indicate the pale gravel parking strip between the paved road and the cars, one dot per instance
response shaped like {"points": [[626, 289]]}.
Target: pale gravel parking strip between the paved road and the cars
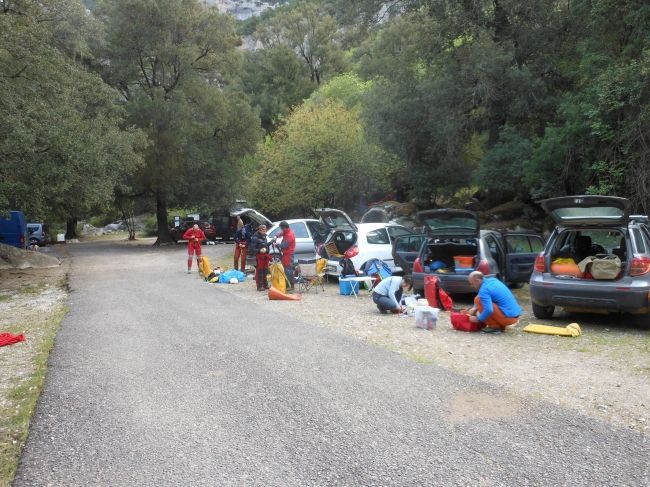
{"points": [[604, 373]]}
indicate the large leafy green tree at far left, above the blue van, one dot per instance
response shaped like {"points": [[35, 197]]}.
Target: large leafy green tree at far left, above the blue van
{"points": [[63, 147]]}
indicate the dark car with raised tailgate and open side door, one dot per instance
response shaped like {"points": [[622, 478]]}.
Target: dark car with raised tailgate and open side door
{"points": [[451, 233]]}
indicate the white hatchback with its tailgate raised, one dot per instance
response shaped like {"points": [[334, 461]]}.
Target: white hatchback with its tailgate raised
{"points": [[362, 241]]}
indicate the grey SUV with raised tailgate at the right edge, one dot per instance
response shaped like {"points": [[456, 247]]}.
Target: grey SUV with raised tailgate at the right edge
{"points": [[593, 226]]}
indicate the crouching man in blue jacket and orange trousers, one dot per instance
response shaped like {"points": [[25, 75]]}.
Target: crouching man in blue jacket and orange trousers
{"points": [[494, 305]]}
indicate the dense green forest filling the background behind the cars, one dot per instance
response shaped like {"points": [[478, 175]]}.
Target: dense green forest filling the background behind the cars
{"points": [[320, 103]]}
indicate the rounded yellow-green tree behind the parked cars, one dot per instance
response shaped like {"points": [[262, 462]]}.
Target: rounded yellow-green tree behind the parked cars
{"points": [[319, 157]]}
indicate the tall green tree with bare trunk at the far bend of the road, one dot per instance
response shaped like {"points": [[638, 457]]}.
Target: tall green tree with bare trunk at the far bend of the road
{"points": [[176, 64]]}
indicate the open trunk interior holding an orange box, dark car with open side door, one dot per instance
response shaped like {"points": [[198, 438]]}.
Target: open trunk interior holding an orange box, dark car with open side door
{"points": [[442, 256]]}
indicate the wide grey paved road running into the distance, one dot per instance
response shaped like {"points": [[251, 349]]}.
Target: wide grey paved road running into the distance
{"points": [[159, 379]]}
